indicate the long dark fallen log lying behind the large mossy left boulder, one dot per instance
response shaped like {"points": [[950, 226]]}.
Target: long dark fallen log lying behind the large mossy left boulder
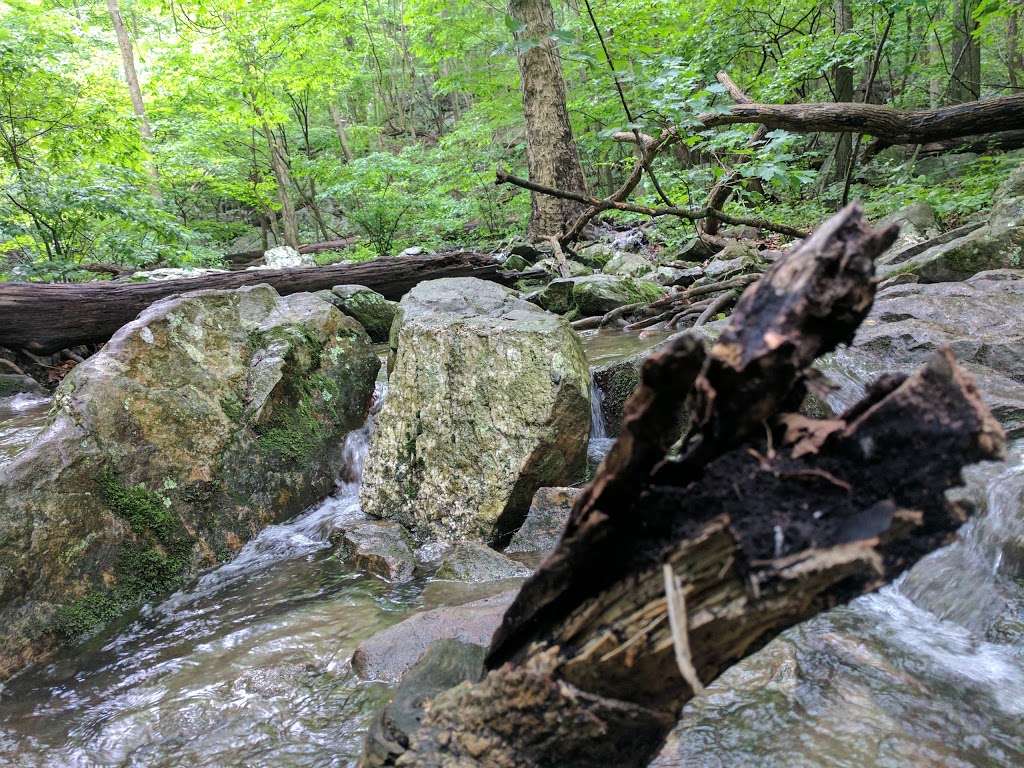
{"points": [[46, 318]]}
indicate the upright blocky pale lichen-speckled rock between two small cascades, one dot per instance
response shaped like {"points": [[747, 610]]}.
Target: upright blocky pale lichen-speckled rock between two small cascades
{"points": [[489, 401]]}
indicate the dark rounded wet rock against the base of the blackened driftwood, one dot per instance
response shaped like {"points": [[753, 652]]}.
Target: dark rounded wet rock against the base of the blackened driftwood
{"points": [[446, 664]]}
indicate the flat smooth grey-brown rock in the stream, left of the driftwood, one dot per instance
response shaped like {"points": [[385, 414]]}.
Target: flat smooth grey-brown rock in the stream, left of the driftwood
{"points": [[389, 655]]}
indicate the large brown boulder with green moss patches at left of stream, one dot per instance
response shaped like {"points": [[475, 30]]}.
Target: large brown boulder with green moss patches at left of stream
{"points": [[208, 417]]}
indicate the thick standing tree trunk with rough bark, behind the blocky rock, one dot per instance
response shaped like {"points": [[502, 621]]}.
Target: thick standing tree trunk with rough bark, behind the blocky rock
{"points": [[551, 151]]}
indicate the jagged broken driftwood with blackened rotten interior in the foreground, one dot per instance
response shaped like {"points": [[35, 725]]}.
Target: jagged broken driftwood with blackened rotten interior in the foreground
{"points": [[671, 570]]}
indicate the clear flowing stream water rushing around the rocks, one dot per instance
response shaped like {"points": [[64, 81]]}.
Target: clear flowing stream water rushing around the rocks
{"points": [[249, 666]]}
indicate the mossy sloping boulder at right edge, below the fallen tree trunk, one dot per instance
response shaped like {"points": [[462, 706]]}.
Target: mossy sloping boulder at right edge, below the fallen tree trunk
{"points": [[999, 244]]}
